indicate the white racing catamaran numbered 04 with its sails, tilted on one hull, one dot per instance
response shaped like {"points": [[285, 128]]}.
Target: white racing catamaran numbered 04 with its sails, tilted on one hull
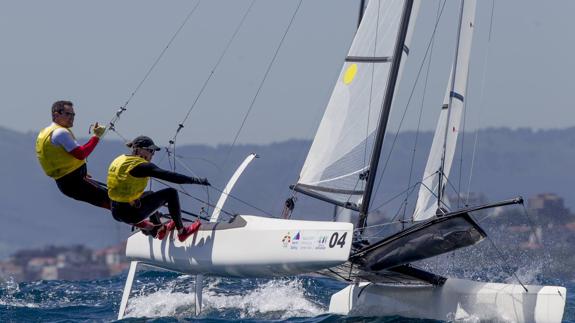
{"points": [[341, 169]]}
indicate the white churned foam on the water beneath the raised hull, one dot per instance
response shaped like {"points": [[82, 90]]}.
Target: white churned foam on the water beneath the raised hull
{"points": [[274, 299]]}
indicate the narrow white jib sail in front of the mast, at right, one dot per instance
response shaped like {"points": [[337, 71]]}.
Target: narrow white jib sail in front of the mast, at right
{"points": [[445, 138]]}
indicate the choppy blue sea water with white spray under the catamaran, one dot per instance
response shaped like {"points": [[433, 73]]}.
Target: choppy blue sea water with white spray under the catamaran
{"points": [[167, 297]]}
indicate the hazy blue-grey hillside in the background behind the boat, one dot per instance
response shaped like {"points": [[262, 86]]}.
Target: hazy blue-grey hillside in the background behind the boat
{"points": [[508, 163]]}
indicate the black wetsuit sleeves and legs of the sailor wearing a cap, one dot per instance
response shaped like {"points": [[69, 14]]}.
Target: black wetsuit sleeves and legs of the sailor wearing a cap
{"points": [[149, 202]]}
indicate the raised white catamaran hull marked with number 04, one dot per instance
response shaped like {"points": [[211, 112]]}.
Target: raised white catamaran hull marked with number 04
{"points": [[249, 246]]}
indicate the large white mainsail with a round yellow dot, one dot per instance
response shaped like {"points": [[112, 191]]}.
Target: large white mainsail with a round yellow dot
{"points": [[343, 144]]}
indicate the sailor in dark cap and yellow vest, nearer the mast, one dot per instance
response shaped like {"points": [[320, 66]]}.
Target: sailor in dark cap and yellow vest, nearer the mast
{"points": [[128, 177]]}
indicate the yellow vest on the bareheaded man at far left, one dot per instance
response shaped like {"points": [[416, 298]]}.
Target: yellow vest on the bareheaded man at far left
{"points": [[55, 160]]}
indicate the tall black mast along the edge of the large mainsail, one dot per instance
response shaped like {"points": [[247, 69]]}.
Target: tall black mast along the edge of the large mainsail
{"points": [[384, 117]]}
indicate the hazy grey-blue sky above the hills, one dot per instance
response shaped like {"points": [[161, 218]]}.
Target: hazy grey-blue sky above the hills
{"points": [[96, 52]]}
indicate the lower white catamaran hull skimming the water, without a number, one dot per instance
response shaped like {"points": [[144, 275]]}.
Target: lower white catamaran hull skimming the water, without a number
{"points": [[455, 299]]}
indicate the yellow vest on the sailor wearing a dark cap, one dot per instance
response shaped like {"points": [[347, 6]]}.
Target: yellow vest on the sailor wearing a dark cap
{"points": [[123, 187]]}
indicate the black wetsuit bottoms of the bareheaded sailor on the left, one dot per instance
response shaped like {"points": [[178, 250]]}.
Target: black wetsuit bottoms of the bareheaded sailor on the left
{"points": [[79, 187]]}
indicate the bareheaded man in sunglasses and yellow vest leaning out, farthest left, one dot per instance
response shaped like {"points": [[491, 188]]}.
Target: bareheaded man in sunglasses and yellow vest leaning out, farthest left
{"points": [[63, 159]]}
